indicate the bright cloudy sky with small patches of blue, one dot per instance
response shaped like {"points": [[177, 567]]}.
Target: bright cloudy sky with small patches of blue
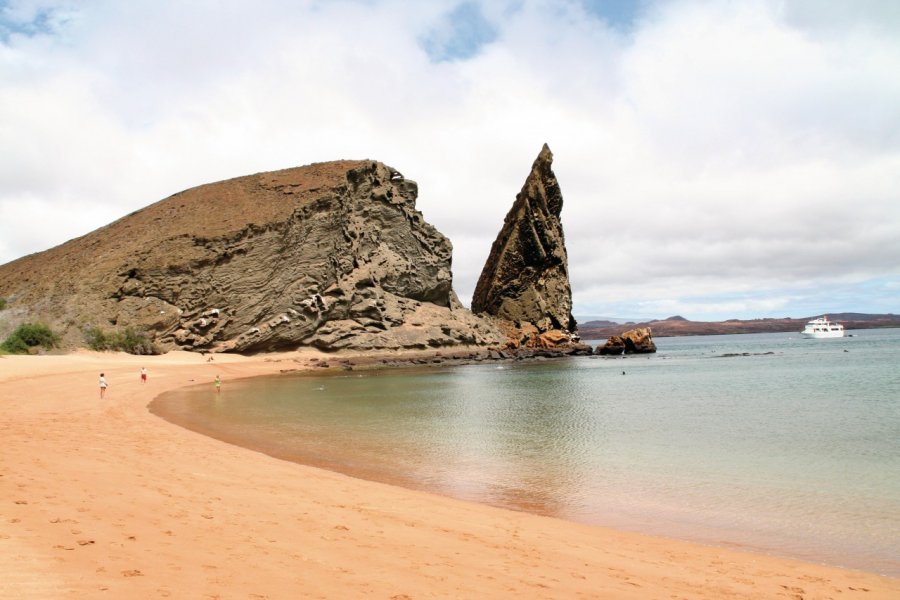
{"points": [[717, 159]]}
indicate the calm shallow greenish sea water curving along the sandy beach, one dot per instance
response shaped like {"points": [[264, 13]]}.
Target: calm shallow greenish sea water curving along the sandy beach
{"points": [[791, 447]]}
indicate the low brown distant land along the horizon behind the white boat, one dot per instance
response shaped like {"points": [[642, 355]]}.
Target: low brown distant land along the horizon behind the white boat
{"points": [[677, 325]]}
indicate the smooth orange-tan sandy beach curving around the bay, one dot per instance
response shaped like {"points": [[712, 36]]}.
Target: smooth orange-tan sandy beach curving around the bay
{"points": [[102, 499]]}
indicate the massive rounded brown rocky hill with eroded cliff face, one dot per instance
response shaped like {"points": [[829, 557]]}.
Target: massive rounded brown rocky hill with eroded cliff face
{"points": [[333, 255]]}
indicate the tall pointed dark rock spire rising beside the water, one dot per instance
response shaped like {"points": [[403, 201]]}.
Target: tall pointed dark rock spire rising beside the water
{"points": [[526, 277]]}
